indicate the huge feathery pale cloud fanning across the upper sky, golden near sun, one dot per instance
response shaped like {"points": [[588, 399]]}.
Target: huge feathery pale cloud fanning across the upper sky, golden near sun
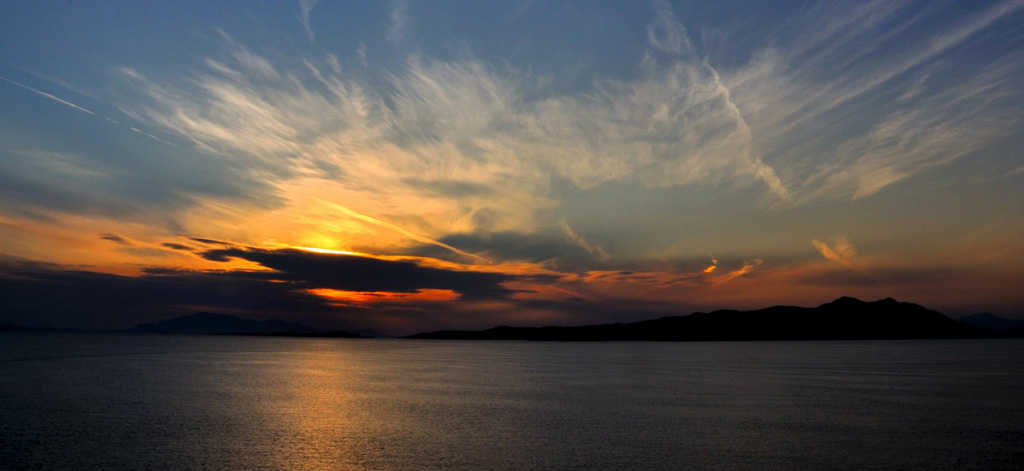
{"points": [[414, 145]]}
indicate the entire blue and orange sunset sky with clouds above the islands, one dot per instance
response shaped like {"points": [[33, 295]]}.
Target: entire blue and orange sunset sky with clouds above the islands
{"points": [[411, 166]]}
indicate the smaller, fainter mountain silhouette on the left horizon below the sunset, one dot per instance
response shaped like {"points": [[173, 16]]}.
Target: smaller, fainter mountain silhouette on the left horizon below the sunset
{"points": [[209, 323]]}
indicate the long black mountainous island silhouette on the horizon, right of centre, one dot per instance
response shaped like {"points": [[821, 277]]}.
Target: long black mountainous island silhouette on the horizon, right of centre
{"points": [[845, 319]]}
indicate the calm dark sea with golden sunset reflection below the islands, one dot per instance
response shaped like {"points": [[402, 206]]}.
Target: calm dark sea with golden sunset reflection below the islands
{"points": [[109, 402]]}
